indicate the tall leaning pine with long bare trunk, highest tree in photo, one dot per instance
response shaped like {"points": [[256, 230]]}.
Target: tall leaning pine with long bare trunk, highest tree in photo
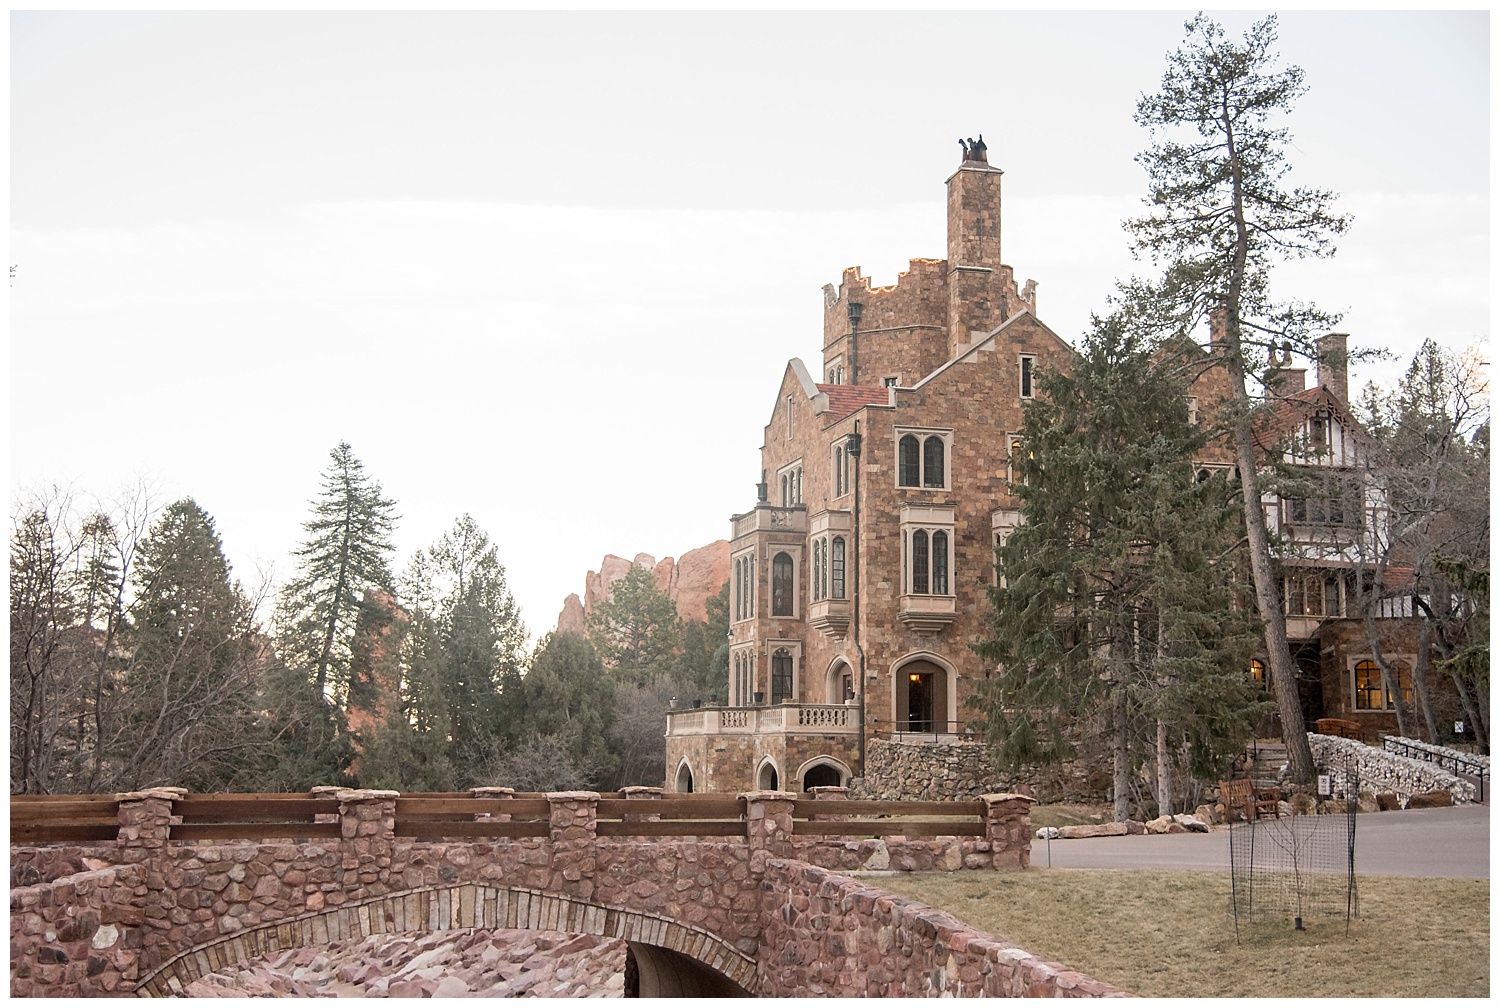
{"points": [[1220, 220]]}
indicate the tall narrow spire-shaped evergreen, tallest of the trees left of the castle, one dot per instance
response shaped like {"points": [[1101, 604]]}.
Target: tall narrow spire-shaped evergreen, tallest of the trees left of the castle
{"points": [[347, 554]]}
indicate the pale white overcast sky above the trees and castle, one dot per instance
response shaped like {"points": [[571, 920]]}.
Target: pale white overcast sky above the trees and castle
{"points": [[548, 269]]}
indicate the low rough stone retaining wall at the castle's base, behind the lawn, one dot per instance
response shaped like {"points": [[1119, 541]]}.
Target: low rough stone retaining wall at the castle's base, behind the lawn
{"points": [[961, 772]]}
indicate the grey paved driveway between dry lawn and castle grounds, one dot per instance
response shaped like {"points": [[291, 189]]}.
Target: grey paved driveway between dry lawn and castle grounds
{"points": [[1427, 842]]}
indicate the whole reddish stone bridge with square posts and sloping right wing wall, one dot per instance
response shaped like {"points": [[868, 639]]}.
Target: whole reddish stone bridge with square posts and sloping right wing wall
{"points": [[766, 913]]}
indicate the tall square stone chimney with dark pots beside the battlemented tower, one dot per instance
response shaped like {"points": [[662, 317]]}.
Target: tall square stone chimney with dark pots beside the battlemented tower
{"points": [[976, 284]]}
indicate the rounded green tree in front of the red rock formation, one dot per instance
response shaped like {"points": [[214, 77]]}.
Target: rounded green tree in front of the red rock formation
{"points": [[637, 629]]}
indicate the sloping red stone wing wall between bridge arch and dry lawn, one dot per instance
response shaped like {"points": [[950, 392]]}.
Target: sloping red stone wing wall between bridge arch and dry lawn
{"points": [[839, 937]]}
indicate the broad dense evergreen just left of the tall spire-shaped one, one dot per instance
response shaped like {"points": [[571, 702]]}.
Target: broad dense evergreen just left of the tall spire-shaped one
{"points": [[197, 668]]}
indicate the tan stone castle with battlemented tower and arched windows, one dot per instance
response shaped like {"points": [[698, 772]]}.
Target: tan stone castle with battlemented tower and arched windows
{"points": [[859, 577]]}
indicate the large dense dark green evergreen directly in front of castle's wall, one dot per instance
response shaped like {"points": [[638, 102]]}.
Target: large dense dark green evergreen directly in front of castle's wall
{"points": [[1117, 593]]}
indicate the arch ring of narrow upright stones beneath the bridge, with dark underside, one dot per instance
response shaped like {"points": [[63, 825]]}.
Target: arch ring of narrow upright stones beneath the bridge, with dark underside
{"points": [[673, 959]]}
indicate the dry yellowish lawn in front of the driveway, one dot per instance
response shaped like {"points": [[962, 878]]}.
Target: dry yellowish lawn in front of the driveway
{"points": [[1171, 935]]}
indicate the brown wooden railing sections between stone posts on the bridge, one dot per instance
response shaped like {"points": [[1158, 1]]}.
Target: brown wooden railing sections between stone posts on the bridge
{"points": [[460, 815]]}
